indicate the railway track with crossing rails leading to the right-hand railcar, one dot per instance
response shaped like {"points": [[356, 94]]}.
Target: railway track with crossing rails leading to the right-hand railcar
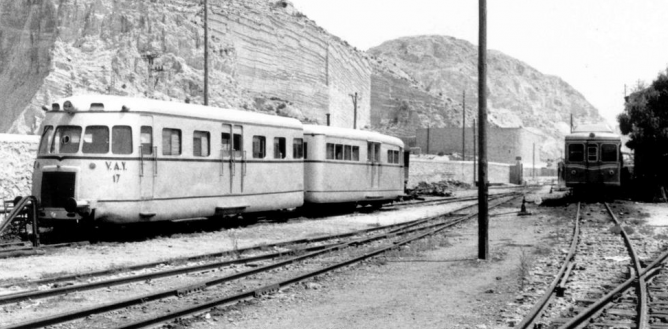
{"points": [[603, 280]]}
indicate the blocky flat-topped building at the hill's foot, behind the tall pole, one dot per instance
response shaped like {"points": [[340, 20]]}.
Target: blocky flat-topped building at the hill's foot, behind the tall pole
{"points": [[504, 145]]}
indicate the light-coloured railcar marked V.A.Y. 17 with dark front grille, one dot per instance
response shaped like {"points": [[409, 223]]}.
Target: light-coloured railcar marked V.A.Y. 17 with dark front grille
{"points": [[121, 160]]}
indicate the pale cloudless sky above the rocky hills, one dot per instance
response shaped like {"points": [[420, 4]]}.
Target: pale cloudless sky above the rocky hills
{"points": [[596, 46]]}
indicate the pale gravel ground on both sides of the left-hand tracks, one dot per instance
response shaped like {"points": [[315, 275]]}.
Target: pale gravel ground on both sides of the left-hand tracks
{"points": [[443, 288]]}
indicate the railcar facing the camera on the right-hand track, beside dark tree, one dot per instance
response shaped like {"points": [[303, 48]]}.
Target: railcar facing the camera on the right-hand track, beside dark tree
{"points": [[593, 158]]}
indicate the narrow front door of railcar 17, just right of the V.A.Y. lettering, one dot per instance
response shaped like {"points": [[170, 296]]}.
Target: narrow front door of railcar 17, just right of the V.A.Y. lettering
{"points": [[148, 161]]}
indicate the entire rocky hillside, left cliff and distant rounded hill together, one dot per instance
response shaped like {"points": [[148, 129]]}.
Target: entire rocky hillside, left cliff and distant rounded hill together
{"points": [[264, 56]]}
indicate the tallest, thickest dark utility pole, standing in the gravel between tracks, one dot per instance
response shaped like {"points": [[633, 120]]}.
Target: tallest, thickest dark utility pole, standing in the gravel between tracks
{"points": [[483, 216]]}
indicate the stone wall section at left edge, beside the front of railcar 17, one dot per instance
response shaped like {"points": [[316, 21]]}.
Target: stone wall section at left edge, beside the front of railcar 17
{"points": [[17, 156]]}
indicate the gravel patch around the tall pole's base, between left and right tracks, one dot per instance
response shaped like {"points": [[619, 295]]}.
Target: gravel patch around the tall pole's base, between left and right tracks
{"points": [[444, 288]]}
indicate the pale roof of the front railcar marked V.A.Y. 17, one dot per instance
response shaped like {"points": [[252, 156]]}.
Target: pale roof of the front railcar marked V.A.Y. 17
{"points": [[115, 103]]}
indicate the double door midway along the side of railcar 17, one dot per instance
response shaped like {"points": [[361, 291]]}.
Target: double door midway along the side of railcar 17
{"points": [[233, 158]]}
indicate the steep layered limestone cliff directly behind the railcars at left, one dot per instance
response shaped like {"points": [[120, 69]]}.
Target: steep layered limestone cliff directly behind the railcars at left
{"points": [[264, 56]]}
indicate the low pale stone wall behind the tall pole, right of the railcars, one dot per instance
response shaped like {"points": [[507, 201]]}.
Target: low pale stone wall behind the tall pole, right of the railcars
{"points": [[425, 169]]}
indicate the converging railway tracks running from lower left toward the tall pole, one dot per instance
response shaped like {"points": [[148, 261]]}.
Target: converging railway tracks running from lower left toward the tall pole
{"points": [[263, 273]]}
